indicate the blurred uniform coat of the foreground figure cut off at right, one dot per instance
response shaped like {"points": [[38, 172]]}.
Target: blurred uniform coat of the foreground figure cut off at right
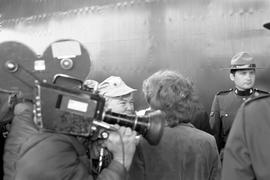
{"points": [[246, 154]]}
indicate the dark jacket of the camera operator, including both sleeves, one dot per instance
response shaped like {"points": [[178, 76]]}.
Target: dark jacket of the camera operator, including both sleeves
{"points": [[31, 154]]}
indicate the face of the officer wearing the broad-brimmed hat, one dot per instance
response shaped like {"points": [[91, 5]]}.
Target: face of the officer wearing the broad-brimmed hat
{"points": [[243, 79]]}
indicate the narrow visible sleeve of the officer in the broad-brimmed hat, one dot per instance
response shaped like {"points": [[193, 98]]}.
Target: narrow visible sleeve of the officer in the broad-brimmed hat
{"points": [[216, 123]]}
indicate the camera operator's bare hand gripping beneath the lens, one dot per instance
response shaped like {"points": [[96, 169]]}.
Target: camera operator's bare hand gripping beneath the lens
{"points": [[123, 147]]}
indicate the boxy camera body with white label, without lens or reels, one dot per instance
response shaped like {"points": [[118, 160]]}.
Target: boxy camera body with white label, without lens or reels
{"points": [[68, 111]]}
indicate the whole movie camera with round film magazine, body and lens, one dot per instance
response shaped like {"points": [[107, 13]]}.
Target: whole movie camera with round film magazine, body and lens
{"points": [[62, 103]]}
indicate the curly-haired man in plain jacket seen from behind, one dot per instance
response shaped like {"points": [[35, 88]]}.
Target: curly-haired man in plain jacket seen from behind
{"points": [[184, 151]]}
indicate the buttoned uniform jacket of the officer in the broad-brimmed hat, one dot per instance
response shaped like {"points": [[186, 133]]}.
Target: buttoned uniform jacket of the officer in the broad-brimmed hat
{"points": [[223, 111]]}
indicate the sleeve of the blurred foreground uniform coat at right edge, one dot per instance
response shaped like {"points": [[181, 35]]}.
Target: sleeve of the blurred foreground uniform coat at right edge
{"points": [[237, 162]]}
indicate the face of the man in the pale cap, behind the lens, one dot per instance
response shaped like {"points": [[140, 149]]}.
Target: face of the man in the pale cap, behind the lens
{"points": [[121, 104]]}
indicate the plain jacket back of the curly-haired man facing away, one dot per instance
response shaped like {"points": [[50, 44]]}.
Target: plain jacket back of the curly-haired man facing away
{"points": [[184, 153]]}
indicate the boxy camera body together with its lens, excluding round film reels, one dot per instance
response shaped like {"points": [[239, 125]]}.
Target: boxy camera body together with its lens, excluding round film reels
{"points": [[81, 112]]}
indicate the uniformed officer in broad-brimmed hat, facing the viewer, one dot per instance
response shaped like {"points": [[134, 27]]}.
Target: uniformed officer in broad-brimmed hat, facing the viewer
{"points": [[226, 103]]}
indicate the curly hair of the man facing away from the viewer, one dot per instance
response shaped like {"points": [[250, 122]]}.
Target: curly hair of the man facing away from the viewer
{"points": [[172, 93]]}
